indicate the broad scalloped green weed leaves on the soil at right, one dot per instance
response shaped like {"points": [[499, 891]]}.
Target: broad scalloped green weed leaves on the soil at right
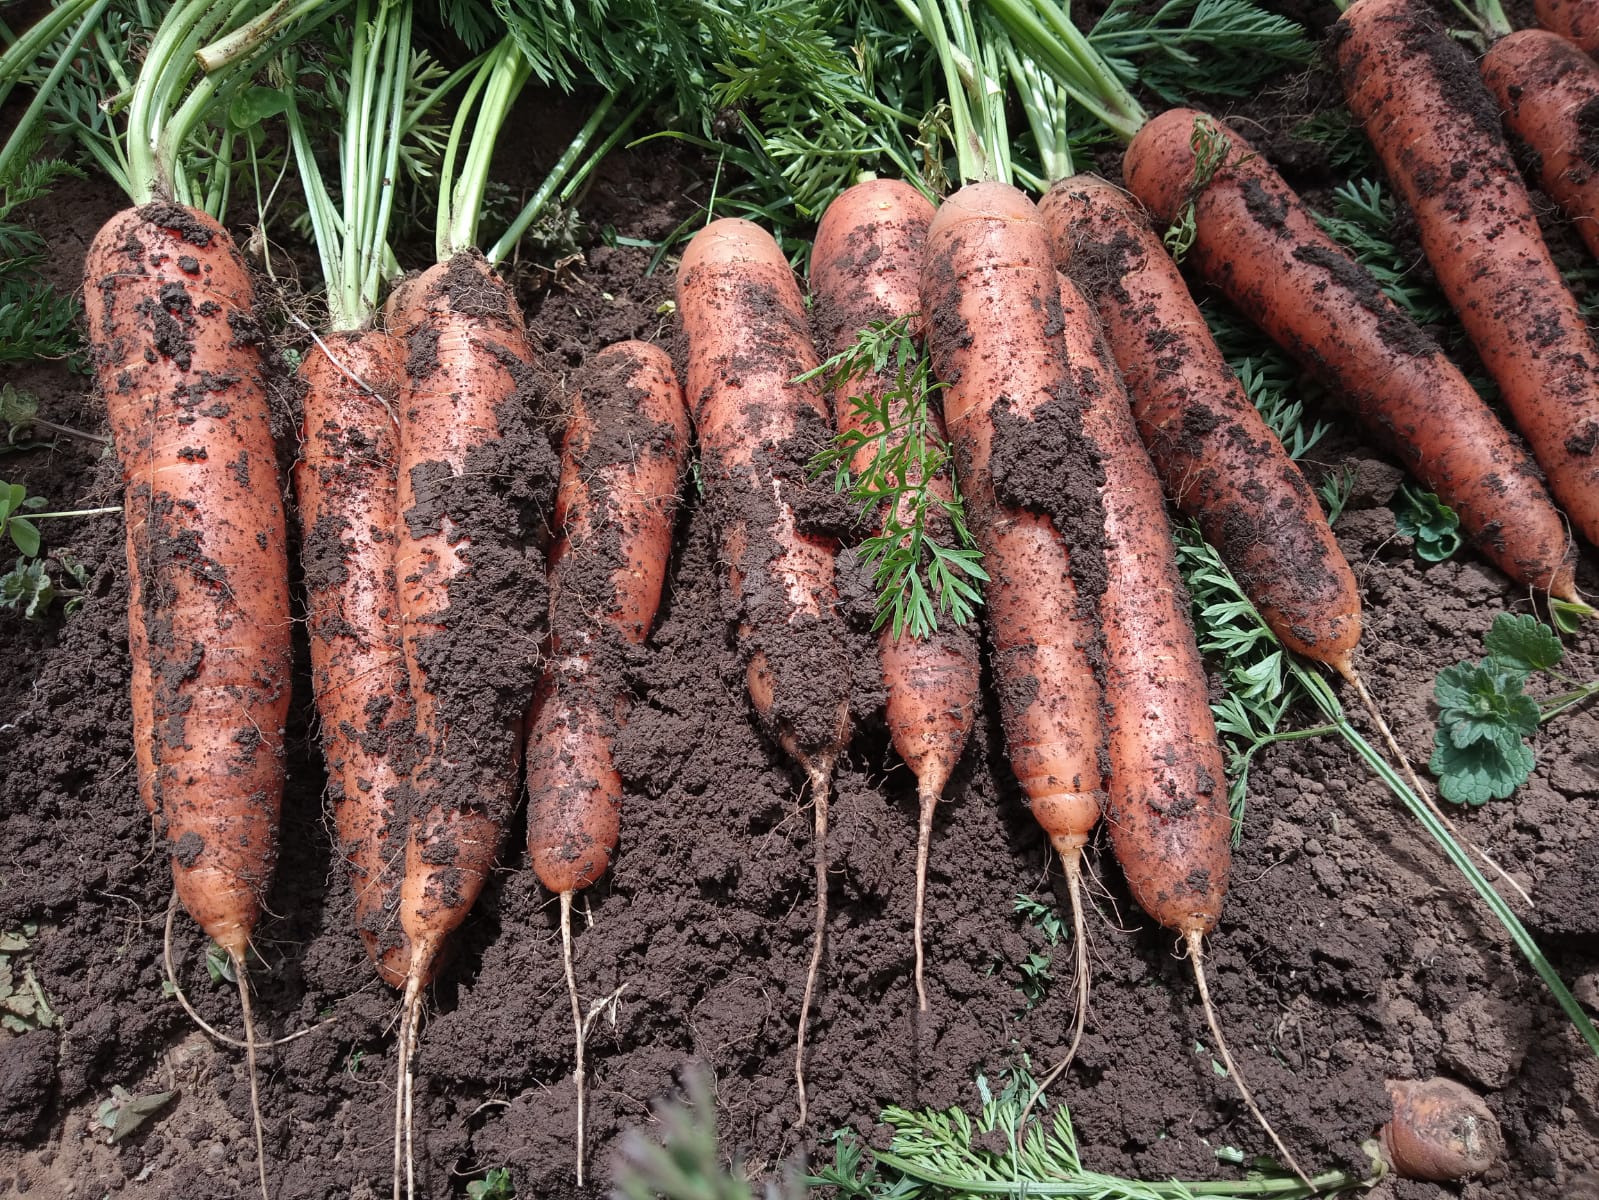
{"points": [[1480, 750]]}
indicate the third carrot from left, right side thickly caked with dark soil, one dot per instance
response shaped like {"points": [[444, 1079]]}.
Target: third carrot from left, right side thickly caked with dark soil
{"points": [[473, 602]]}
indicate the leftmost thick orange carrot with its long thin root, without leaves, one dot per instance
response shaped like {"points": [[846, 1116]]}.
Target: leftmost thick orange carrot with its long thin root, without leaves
{"points": [[170, 311]]}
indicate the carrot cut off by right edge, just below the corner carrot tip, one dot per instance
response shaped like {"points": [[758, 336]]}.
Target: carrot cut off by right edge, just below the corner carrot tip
{"points": [[1549, 92]]}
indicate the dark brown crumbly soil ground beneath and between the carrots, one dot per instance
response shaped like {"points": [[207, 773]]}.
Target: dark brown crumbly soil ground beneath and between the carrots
{"points": [[1349, 951]]}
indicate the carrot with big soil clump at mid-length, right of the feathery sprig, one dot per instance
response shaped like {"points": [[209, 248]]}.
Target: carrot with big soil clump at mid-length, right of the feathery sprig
{"points": [[994, 308]]}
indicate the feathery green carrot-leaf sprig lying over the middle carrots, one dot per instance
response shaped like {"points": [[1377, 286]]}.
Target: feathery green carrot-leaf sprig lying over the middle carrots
{"points": [[923, 559]]}
